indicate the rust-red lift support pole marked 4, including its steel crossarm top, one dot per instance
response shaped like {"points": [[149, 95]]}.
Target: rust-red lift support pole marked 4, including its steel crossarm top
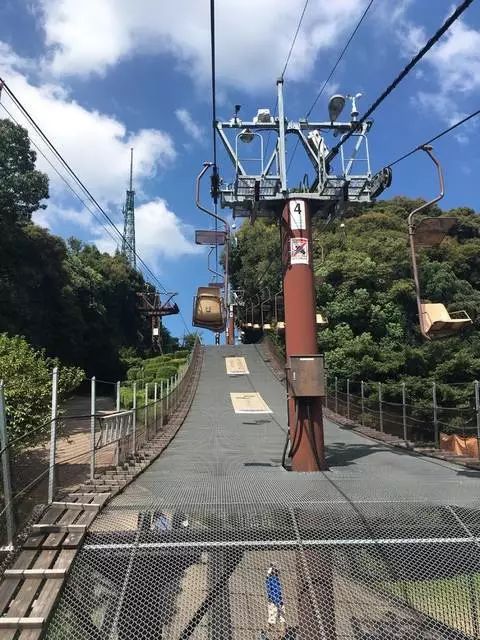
{"points": [[263, 191]]}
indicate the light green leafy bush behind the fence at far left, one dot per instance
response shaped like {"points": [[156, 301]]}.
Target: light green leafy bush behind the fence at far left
{"points": [[29, 389]]}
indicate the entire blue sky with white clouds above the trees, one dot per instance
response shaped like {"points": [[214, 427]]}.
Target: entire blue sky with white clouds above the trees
{"points": [[103, 75]]}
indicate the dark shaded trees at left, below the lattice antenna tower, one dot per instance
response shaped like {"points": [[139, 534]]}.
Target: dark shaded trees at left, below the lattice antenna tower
{"points": [[77, 303]]}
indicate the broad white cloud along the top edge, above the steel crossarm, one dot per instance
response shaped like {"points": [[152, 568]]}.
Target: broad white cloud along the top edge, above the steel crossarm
{"points": [[252, 39]]}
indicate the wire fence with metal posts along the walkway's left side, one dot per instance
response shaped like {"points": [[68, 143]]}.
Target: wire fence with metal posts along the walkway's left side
{"points": [[81, 446]]}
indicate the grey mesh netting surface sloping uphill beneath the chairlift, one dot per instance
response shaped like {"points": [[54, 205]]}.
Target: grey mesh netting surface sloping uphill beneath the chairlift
{"points": [[382, 546]]}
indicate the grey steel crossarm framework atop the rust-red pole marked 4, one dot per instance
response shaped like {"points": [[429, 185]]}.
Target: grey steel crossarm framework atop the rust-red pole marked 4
{"points": [[263, 192]]}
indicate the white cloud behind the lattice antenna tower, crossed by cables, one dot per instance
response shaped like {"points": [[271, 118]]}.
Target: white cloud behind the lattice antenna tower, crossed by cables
{"points": [[97, 146]]}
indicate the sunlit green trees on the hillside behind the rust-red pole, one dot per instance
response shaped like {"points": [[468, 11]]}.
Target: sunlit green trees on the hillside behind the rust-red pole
{"points": [[365, 288]]}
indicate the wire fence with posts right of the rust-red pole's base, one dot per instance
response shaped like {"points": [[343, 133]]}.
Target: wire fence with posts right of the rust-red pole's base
{"points": [[394, 409]]}
